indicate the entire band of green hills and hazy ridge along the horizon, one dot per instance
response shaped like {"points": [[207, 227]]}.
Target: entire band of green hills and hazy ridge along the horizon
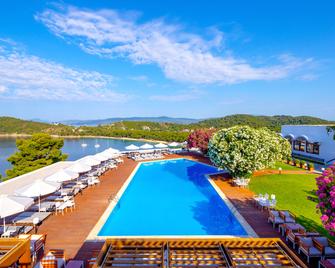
{"points": [[155, 128]]}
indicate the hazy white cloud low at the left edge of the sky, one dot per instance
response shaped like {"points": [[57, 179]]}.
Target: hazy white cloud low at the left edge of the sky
{"points": [[26, 76]]}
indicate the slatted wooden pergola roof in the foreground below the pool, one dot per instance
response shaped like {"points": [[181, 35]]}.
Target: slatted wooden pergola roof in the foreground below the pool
{"points": [[229, 252]]}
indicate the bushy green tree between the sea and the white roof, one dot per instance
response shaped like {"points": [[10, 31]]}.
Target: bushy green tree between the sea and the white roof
{"points": [[38, 151]]}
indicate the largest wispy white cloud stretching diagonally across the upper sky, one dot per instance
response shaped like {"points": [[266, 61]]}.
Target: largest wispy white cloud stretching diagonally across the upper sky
{"points": [[181, 55]]}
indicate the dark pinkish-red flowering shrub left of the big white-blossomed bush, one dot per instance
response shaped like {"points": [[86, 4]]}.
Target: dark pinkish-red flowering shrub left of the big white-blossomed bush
{"points": [[199, 139]]}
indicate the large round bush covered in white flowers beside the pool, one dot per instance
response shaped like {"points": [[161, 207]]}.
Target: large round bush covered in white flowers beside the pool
{"points": [[243, 150]]}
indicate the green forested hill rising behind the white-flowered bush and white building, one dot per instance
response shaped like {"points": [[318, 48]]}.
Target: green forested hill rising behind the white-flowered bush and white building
{"points": [[272, 122]]}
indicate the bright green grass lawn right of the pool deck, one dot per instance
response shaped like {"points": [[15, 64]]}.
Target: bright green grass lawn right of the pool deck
{"points": [[291, 192]]}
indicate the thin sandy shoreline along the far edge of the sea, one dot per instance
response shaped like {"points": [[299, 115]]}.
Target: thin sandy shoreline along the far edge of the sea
{"points": [[15, 135]]}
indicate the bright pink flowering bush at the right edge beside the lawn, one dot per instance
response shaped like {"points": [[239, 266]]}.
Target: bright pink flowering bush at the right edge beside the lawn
{"points": [[326, 195]]}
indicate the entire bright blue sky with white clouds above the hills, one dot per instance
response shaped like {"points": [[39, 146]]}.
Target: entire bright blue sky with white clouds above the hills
{"points": [[98, 59]]}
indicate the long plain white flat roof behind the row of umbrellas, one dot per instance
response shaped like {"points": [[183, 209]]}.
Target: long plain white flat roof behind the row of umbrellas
{"points": [[8, 187]]}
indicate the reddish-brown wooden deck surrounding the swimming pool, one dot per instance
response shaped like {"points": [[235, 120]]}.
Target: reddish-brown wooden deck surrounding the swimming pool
{"points": [[69, 231]]}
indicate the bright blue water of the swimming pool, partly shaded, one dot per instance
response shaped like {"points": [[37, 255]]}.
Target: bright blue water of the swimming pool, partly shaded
{"points": [[171, 198]]}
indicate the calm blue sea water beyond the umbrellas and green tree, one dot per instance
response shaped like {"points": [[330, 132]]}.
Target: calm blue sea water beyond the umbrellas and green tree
{"points": [[72, 147]]}
